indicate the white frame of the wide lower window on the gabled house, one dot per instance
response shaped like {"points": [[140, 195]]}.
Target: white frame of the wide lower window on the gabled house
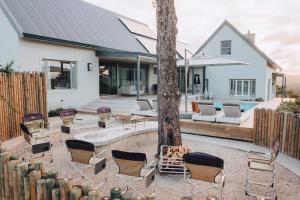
{"points": [[251, 83]]}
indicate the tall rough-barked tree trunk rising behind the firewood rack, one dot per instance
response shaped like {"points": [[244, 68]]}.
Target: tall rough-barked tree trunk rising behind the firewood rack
{"points": [[168, 92]]}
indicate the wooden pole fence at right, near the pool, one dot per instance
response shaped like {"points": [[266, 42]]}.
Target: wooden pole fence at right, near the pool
{"points": [[270, 125]]}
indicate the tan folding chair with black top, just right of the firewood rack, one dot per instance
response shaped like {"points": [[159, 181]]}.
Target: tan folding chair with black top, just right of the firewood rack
{"points": [[204, 167]]}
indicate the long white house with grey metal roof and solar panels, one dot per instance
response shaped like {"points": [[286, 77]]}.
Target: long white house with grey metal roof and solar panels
{"points": [[85, 50]]}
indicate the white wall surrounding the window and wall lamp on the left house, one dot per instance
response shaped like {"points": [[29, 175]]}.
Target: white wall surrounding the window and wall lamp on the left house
{"points": [[31, 55]]}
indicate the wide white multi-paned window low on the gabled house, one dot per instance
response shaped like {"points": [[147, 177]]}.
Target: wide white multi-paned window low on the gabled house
{"points": [[242, 88]]}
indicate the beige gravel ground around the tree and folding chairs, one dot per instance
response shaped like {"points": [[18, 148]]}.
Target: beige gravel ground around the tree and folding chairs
{"points": [[167, 186]]}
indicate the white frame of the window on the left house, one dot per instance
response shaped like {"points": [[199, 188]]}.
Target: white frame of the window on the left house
{"points": [[73, 75]]}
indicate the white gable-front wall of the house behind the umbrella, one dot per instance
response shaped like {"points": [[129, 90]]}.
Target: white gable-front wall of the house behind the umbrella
{"points": [[240, 50]]}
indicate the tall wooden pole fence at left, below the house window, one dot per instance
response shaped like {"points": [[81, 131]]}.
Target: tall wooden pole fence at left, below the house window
{"points": [[20, 93]]}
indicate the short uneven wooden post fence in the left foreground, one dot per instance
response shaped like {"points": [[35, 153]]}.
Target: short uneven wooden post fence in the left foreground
{"points": [[24, 180]]}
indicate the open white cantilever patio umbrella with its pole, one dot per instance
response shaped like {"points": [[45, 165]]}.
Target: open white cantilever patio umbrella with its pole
{"points": [[201, 61]]}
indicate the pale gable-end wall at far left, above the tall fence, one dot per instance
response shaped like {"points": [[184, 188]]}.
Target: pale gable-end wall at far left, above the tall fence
{"points": [[9, 41]]}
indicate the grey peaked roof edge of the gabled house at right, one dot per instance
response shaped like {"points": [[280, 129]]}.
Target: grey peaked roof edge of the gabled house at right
{"points": [[268, 59]]}
